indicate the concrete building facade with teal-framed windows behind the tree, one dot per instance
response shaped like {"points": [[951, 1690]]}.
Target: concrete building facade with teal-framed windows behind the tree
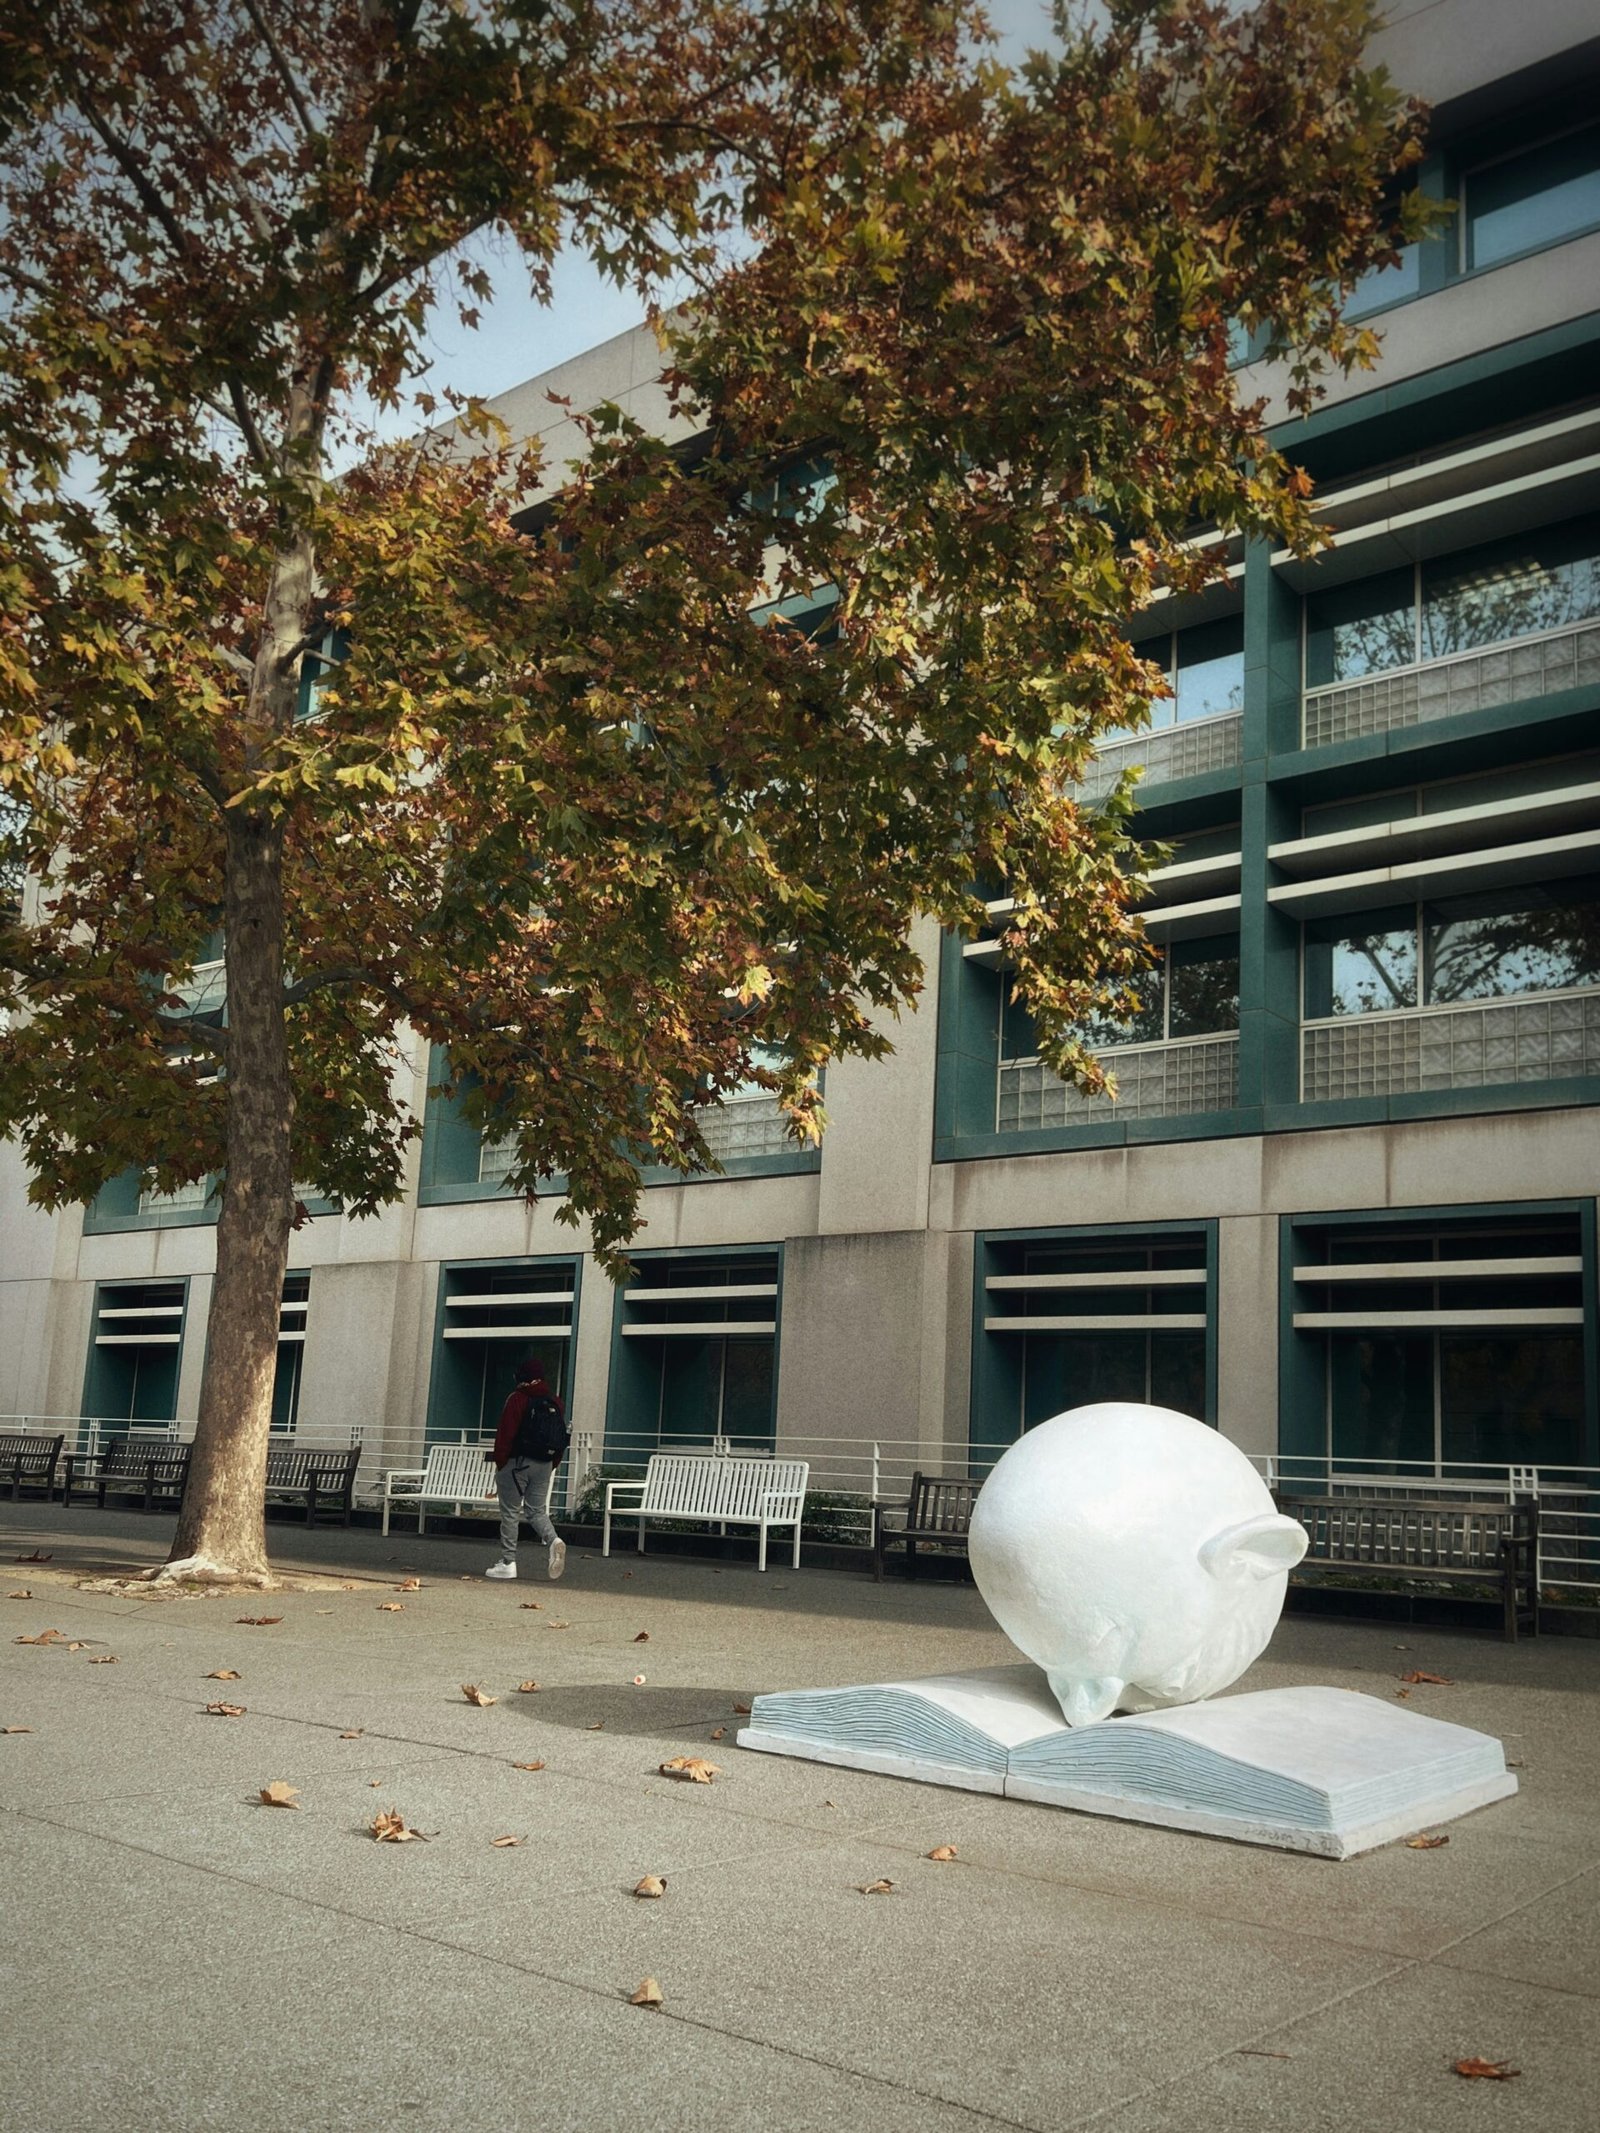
{"points": [[1347, 1200]]}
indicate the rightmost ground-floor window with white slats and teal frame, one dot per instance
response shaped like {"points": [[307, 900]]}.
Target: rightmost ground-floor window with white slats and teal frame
{"points": [[1445, 1345]]}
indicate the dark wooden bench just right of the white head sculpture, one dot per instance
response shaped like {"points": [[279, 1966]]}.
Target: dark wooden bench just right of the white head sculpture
{"points": [[1388, 1541]]}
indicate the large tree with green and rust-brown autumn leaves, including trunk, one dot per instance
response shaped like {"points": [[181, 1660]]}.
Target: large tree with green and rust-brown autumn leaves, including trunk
{"points": [[624, 769]]}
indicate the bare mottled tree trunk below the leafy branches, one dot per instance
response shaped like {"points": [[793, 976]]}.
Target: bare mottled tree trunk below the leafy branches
{"points": [[223, 1526]]}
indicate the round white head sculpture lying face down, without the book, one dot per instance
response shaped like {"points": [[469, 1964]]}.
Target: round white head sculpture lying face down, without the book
{"points": [[1132, 1554]]}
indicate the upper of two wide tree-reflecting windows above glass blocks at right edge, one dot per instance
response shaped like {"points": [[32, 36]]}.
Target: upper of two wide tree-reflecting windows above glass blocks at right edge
{"points": [[1516, 588]]}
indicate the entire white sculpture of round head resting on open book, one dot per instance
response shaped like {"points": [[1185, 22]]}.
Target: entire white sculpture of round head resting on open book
{"points": [[1138, 1560]]}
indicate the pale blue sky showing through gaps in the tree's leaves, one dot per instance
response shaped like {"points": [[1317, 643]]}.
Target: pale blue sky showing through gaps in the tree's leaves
{"points": [[519, 338]]}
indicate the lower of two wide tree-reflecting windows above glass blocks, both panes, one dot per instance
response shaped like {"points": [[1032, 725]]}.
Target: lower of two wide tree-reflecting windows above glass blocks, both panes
{"points": [[1490, 946]]}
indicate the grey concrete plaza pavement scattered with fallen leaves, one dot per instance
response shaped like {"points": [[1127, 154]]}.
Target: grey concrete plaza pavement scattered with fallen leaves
{"points": [[180, 1957]]}
